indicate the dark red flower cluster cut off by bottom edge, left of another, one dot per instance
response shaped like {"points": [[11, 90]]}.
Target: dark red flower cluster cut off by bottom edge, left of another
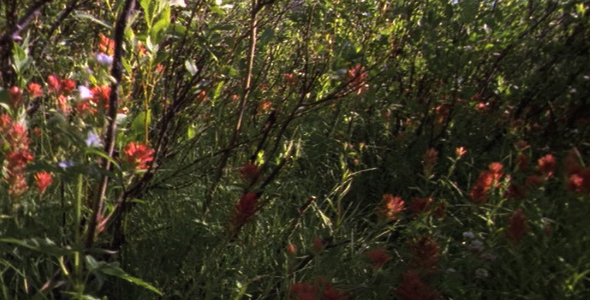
{"points": [[321, 290]]}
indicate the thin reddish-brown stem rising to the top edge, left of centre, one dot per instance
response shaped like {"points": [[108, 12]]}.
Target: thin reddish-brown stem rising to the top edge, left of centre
{"points": [[243, 101]]}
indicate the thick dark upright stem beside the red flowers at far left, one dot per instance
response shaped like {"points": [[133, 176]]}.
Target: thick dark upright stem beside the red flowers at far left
{"points": [[116, 72]]}
